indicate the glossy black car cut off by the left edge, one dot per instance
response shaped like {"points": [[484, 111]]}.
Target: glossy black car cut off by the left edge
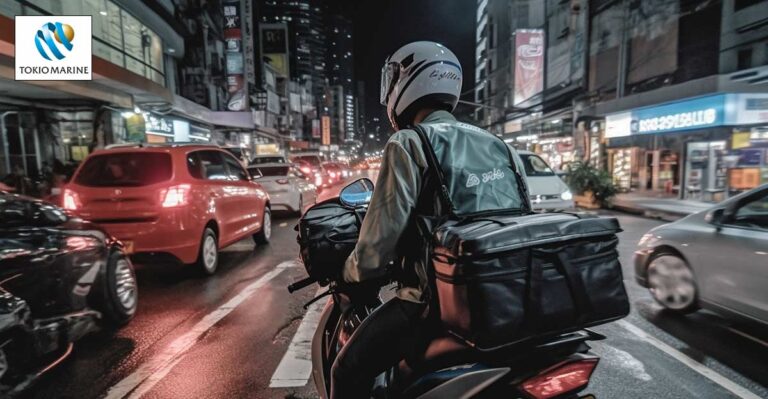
{"points": [[61, 278]]}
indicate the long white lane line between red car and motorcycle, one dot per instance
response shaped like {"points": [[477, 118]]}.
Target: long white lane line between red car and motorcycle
{"points": [[150, 373]]}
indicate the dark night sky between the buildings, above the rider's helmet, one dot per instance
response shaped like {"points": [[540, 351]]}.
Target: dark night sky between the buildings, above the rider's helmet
{"points": [[381, 27]]}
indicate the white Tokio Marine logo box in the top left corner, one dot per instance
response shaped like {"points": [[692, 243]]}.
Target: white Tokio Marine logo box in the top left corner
{"points": [[44, 51]]}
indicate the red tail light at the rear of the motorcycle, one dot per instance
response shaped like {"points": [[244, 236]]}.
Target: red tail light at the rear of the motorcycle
{"points": [[560, 379]]}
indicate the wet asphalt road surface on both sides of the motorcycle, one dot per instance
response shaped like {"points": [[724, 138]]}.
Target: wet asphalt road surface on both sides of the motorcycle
{"points": [[228, 334]]}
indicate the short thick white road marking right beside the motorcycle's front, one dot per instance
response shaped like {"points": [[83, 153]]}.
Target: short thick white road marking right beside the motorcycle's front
{"points": [[295, 368]]}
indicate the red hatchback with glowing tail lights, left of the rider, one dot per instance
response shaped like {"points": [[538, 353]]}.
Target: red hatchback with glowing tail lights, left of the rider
{"points": [[186, 201]]}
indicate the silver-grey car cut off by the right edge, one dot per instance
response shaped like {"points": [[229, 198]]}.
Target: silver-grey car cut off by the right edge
{"points": [[715, 259]]}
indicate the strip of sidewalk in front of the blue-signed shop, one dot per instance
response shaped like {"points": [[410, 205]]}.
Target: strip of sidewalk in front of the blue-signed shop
{"points": [[659, 206]]}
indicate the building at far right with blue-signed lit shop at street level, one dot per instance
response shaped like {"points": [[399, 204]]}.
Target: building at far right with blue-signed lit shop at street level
{"points": [[689, 120]]}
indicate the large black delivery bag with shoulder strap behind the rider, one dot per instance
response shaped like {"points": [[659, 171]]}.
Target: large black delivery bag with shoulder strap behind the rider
{"points": [[503, 278]]}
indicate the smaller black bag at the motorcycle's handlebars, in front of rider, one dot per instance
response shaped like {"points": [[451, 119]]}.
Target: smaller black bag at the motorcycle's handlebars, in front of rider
{"points": [[328, 233]]}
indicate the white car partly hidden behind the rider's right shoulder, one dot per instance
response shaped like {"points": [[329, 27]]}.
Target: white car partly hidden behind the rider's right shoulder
{"points": [[546, 189]]}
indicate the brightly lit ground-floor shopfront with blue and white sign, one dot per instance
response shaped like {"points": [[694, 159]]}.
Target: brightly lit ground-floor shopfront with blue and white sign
{"points": [[705, 148]]}
